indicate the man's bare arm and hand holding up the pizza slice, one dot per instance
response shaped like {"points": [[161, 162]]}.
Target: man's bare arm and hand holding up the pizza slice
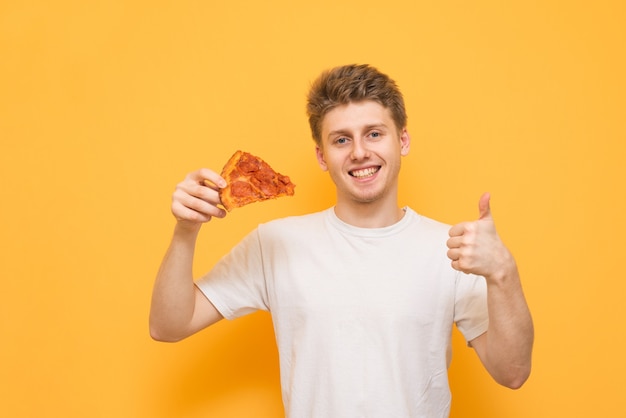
{"points": [[178, 308]]}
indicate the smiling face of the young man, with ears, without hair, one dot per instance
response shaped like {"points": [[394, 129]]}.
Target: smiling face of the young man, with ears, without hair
{"points": [[361, 148]]}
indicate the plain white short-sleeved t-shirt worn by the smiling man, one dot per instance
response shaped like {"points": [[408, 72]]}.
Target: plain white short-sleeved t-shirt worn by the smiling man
{"points": [[363, 316]]}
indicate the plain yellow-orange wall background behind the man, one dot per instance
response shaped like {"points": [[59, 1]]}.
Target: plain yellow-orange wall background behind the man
{"points": [[106, 105]]}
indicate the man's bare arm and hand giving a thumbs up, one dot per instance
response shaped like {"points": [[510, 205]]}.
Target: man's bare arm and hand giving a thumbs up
{"points": [[506, 348]]}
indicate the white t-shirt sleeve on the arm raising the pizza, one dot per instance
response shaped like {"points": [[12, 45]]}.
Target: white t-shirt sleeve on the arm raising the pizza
{"points": [[236, 284]]}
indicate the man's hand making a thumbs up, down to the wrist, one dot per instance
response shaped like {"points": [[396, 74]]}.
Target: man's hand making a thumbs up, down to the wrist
{"points": [[475, 247]]}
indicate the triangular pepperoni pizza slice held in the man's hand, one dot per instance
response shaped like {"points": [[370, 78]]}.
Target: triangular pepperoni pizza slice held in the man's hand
{"points": [[250, 179]]}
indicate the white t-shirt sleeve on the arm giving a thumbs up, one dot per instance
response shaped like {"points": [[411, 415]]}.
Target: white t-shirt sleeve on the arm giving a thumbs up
{"points": [[470, 306]]}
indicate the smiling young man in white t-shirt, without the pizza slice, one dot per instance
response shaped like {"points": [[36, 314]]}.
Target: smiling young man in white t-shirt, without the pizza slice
{"points": [[363, 295]]}
